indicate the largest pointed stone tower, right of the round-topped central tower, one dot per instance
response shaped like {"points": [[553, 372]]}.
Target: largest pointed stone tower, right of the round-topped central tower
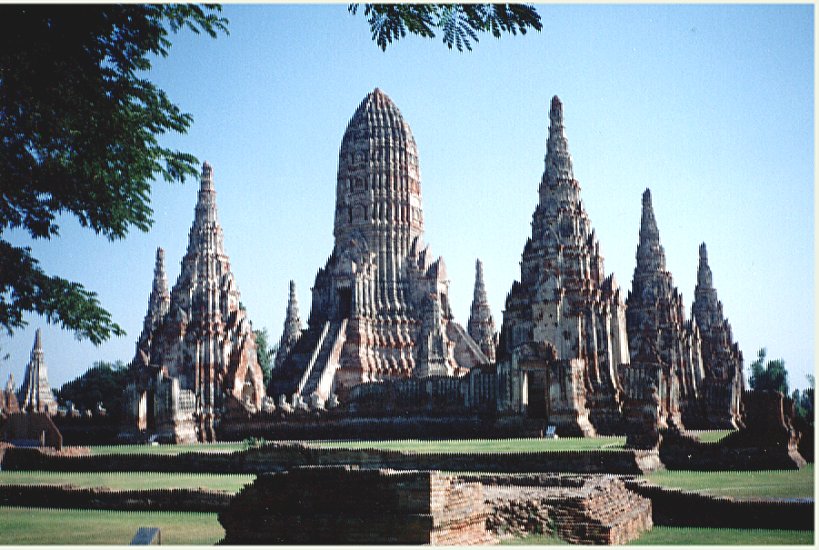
{"points": [[564, 328]]}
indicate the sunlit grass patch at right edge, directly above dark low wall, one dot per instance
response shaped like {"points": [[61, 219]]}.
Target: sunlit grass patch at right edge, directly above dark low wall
{"points": [[773, 483]]}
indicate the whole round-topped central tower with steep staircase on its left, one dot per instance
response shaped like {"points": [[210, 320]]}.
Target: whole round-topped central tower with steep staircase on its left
{"points": [[380, 306]]}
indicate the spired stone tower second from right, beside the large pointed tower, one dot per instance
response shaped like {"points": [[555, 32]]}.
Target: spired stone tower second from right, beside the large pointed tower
{"points": [[665, 346]]}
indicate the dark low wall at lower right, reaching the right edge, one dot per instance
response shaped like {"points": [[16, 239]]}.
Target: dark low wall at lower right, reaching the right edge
{"points": [[674, 507]]}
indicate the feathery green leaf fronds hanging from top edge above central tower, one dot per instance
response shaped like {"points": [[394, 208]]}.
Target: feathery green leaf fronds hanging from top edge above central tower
{"points": [[460, 23]]}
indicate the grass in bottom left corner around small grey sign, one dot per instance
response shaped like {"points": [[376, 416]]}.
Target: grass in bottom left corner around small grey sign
{"points": [[40, 526]]}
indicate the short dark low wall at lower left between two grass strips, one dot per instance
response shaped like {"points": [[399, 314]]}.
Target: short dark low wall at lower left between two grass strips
{"points": [[160, 500]]}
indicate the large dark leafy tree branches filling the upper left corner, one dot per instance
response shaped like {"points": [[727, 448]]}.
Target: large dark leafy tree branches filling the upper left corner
{"points": [[79, 129]]}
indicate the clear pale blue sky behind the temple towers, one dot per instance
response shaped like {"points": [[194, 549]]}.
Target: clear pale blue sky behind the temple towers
{"points": [[709, 106]]}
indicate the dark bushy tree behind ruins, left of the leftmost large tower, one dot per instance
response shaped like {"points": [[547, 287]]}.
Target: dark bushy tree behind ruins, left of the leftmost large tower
{"points": [[102, 383]]}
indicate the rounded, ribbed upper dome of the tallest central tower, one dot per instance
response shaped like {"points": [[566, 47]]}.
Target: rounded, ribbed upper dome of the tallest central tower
{"points": [[378, 193]]}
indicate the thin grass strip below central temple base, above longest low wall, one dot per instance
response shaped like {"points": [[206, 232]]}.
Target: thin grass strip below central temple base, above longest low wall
{"points": [[482, 445]]}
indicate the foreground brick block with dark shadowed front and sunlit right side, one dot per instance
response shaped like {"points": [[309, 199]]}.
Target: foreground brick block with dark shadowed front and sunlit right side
{"points": [[343, 505]]}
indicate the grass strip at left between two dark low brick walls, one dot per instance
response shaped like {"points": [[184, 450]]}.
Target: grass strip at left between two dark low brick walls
{"points": [[130, 480]]}
